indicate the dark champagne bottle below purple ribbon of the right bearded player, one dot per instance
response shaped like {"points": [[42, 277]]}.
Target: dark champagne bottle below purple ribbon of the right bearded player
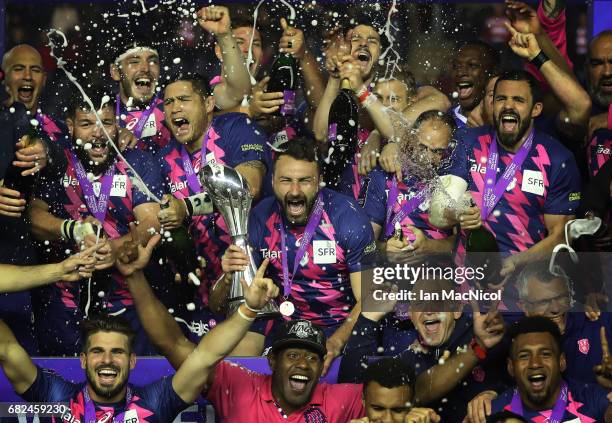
{"points": [[483, 251]]}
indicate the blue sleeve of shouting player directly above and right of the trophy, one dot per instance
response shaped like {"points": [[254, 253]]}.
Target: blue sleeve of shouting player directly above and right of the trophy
{"points": [[248, 142]]}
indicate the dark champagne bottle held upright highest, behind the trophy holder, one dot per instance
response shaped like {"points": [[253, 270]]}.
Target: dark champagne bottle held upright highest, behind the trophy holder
{"points": [[284, 78]]}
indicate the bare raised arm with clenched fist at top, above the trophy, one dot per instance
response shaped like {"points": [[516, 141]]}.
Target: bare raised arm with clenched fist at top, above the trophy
{"points": [[236, 82]]}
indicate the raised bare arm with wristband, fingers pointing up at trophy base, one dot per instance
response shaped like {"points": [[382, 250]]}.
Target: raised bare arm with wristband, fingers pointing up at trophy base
{"points": [[198, 369]]}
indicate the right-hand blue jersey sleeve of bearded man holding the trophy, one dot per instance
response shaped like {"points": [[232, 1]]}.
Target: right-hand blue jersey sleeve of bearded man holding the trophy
{"points": [[357, 238]]}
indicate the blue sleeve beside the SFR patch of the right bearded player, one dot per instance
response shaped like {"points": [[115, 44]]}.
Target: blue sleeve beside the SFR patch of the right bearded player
{"points": [[564, 188]]}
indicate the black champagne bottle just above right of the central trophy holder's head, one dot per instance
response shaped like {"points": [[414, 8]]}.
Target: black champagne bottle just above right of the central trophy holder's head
{"points": [[342, 134]]}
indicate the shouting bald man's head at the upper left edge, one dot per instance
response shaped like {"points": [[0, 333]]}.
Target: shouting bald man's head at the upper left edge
{"points": [[24, 75]]}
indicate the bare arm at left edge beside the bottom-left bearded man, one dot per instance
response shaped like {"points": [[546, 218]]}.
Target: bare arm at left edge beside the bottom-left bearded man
{"points": [[17, 365]]}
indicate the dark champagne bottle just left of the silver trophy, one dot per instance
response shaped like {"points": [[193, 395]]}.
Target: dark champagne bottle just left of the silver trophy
{"points": [[179, 248]]}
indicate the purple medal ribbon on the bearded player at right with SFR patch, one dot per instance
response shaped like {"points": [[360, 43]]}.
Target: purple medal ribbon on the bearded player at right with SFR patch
{"points": [[493, 191]]}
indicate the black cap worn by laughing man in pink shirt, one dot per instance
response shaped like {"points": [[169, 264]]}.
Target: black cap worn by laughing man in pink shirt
{"points": [[301, 334]]}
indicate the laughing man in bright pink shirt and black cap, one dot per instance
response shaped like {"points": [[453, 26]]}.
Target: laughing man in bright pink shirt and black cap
{"points": [[291, 394]]}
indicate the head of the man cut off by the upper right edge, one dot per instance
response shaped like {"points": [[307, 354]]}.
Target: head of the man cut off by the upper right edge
{"points": [[599, 69]]}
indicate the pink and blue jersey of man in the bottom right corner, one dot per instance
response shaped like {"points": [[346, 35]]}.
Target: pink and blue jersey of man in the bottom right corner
{"points": [[587, 403]]}
